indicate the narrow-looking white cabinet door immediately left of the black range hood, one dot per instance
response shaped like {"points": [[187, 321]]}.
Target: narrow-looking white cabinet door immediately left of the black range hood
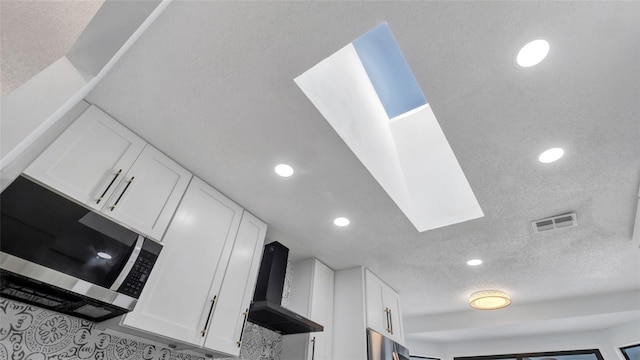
{"points": [[231, 310]]}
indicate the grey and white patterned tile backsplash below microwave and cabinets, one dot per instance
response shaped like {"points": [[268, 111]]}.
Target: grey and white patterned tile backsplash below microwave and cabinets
{"points": [[31, 333]]}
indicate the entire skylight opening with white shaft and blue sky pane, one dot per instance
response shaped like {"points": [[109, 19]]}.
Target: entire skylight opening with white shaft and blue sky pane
{"points": [[367, 92]]}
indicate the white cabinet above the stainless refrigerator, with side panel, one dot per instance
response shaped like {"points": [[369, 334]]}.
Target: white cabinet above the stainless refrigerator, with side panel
{"points": [[361, 301]]}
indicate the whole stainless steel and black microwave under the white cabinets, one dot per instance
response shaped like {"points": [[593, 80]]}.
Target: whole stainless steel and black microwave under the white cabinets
{"points": [[57, 254]]}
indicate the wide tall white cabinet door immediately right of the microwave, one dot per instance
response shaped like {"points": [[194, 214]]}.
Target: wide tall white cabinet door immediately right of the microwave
{"points": [[177, 297]]}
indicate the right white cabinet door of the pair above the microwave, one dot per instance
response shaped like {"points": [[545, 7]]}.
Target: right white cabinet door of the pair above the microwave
{"points": [[149, 194]]}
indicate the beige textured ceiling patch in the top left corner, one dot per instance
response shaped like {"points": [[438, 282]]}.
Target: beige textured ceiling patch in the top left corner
{"points": [[34, 34]]}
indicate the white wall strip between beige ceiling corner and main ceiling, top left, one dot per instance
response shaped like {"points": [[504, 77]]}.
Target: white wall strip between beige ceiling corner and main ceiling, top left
{"points": [[31, 110]]}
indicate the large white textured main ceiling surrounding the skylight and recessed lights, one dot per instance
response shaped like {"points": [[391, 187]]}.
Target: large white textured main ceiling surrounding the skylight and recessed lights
{"points": [[211, 84]]}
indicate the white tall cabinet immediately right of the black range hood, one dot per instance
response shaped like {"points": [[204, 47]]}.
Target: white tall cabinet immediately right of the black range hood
{"points": [[311, 296]]}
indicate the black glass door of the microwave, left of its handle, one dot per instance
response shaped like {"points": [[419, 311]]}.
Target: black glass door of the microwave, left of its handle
{"points": [[45, 228]]}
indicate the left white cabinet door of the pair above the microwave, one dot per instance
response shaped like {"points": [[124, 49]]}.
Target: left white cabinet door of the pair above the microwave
{"points": [[89, 159]]}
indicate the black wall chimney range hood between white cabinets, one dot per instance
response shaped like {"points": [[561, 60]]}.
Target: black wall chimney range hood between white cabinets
{"points": [[266, 309]]}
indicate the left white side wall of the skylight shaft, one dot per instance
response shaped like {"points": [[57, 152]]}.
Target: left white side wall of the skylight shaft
{"points": [[341, 91]]}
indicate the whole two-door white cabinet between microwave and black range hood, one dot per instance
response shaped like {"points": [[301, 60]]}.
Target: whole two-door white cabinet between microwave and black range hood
{"points": [[203, 282]]}
